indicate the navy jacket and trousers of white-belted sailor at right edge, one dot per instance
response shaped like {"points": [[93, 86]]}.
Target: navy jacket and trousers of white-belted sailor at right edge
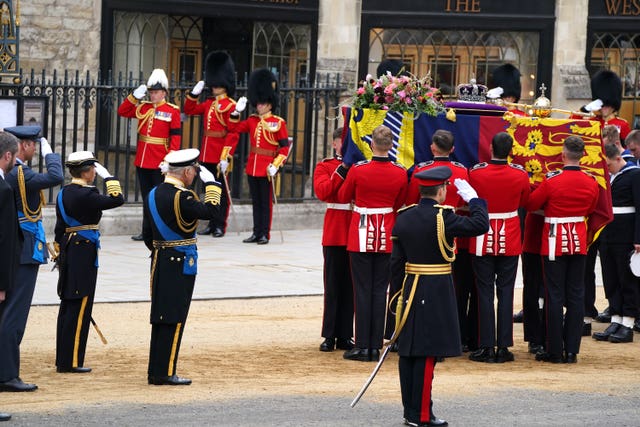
{"points": [[617, 243]]}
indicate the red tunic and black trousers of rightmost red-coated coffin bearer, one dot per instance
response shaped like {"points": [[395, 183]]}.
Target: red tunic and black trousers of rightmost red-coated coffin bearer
{"points": [[567, 197]]}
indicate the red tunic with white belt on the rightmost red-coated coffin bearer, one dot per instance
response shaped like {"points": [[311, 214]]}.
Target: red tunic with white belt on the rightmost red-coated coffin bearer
{"points": [[567, 196]]}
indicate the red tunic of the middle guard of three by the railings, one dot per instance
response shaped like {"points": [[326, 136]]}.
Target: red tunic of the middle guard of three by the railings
{"points": [[217, 141]]}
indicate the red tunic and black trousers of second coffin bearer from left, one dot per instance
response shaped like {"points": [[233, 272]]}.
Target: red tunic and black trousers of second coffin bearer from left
{"points": [[377, 189]]}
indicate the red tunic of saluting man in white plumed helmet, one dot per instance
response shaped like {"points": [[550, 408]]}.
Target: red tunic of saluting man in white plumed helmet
{"points": [[159, 129]]}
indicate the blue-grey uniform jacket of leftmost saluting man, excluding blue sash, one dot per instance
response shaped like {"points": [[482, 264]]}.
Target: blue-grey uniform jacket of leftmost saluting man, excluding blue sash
{"points": [[34, 182]]}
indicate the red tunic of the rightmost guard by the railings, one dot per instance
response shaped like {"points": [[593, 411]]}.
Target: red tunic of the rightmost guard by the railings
{"points": [[269, 139]]}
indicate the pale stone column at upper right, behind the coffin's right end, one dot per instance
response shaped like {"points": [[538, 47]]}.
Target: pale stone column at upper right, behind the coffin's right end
{"points": [[571, 82]]}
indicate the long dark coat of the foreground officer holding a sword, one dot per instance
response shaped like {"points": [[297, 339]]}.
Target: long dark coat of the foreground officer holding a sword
{"points": [[432, 325]]}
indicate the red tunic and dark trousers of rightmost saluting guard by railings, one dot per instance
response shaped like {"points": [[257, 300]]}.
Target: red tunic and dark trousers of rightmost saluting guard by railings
{"points": [[269, 144]]}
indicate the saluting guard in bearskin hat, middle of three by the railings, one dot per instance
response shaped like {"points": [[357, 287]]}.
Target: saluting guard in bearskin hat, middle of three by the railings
{"points": [[218, 144]]}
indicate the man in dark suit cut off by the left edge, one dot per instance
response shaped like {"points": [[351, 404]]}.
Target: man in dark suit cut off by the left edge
{"points": [[10, 237]]}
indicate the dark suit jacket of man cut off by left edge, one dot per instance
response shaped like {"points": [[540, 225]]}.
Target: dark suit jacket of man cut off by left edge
{"points": [[10, 237]]}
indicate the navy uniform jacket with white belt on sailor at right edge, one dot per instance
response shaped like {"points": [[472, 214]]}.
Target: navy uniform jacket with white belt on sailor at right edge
{"points": [[625, 192]]}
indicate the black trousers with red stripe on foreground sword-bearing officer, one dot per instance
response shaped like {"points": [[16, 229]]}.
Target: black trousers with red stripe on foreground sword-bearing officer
{"points": [[416, 378]]}
